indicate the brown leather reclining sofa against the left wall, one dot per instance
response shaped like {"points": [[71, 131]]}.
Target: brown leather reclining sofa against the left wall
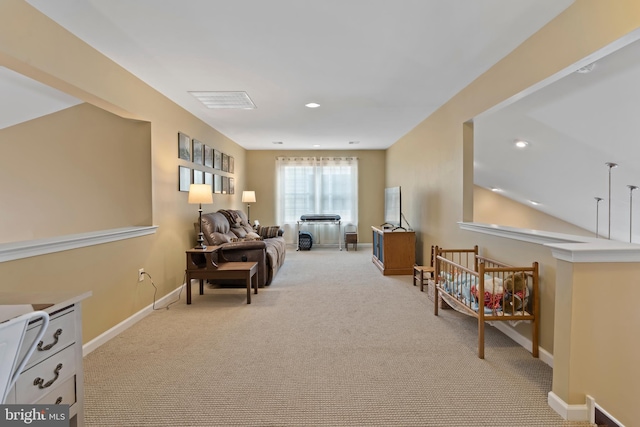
{"points": [[240, 242]]}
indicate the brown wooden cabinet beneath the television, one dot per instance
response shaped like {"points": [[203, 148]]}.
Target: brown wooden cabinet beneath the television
{"points": [[394, 252]]}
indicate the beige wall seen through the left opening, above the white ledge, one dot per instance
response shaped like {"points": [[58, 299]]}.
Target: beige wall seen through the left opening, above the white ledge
{"points": [[64, 173]]}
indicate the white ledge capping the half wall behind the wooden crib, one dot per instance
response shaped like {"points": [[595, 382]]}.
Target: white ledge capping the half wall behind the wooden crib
{"points": [[566, 247]]}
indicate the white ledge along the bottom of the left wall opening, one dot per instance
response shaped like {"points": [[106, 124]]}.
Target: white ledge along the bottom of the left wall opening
{"points": [[29, 248]]}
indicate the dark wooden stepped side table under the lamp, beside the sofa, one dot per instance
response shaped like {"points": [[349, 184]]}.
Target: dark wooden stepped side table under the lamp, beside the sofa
{"points": [[201, 266]]}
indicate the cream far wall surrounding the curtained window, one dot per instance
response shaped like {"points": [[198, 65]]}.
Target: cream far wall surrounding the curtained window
{"points": [[261, 177]]}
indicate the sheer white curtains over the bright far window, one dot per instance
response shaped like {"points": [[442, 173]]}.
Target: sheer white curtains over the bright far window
{"points": [[316, 185]]}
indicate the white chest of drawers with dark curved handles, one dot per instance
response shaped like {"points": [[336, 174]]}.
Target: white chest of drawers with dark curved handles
{"points": [[54, 372]]}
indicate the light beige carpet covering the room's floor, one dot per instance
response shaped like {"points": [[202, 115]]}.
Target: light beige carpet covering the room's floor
{"points": [[331, 342]]}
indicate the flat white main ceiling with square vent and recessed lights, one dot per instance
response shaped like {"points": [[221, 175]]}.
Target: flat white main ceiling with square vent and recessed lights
{"points": [[376, 67]]}
